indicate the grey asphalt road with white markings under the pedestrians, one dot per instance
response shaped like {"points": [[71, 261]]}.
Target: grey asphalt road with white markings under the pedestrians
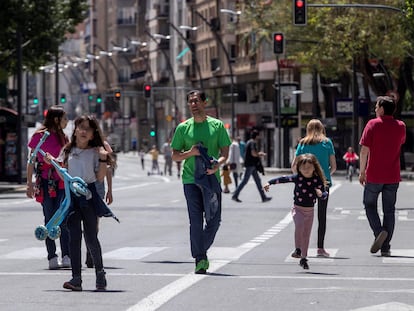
{"points": [[149, 266]]}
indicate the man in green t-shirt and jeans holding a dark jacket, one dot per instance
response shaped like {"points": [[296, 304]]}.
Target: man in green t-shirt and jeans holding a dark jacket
{"points": [[201, 181]]}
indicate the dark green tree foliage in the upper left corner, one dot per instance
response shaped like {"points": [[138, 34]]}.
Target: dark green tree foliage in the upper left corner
{"points": [[43, 25]]}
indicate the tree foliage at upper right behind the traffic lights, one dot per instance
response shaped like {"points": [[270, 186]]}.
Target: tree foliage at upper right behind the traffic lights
{"points": [[381, 41]]}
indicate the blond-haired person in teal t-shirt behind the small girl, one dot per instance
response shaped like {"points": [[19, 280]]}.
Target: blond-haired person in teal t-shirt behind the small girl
{"points": [[316, 143]]}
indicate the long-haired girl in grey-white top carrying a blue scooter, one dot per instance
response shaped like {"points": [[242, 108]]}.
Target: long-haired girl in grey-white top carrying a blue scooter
{"points": [[85, 157]]}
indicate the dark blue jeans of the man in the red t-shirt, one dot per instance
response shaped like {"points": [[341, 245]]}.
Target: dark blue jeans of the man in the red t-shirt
{"points": [[389, 197]]}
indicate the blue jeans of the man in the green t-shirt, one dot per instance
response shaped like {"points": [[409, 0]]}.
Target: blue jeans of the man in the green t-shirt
{"points": [[201, 237]]}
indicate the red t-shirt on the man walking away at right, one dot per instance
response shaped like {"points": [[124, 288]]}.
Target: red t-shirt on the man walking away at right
{"points": [[384, 137]]}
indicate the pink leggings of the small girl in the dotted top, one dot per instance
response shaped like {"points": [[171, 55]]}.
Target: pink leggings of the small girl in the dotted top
{"points": [[303, 219]]}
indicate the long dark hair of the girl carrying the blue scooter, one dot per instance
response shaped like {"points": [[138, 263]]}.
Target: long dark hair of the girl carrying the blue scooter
{"points": [[96, 141]]}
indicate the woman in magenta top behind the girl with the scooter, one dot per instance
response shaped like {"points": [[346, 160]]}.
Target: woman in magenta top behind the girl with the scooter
{"points": [[49, 189]]}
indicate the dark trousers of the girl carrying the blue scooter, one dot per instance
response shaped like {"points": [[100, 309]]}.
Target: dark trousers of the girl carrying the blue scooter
{"points": [[83, 212]]}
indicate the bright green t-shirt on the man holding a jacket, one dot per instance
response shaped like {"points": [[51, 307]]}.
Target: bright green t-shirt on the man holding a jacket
{"points": [[211, 133]]}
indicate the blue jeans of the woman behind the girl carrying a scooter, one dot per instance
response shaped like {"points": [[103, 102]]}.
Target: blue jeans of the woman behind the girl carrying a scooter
{"points": [[50, 206]]}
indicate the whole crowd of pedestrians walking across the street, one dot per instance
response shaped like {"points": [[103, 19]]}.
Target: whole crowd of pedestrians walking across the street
{"points": [[207, 154]]}
